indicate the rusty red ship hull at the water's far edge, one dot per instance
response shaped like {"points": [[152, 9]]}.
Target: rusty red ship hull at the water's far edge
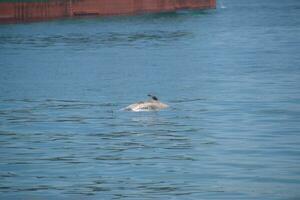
{"points": [[11, 12]]}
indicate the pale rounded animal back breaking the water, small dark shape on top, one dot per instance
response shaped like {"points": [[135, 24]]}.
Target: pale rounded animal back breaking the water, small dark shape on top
{"points": [[152, 104]]}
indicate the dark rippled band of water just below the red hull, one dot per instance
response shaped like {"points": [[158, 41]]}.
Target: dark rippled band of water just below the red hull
{"points": [[97, 39]]}
